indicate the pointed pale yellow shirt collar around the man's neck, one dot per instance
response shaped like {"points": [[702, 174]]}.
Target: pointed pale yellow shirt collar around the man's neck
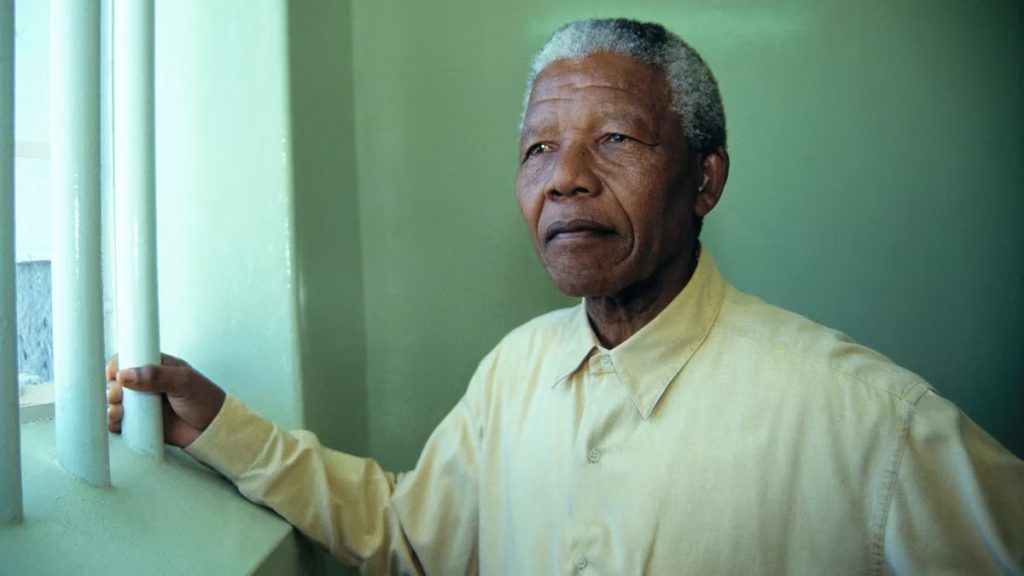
{"points": [[650, 360]]}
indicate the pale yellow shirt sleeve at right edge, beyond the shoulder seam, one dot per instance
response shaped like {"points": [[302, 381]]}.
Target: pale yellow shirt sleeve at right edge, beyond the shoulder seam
{"points": [[958, 503]]}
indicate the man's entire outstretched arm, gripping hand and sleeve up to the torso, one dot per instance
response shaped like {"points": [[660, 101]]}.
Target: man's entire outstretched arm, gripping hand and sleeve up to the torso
{"points": [[425, 521]]}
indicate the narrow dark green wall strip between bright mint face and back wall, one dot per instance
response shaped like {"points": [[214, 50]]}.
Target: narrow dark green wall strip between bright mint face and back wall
{"points": [[328, 257]]}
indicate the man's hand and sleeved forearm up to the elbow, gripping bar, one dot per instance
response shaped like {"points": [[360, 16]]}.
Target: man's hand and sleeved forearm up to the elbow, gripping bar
{"points": [[340, 502]]}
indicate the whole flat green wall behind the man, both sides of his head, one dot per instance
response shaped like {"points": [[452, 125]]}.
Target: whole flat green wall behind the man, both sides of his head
{"points": [[877, 186]]}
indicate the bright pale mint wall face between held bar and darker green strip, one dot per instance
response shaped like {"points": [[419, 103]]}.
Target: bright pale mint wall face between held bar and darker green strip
{"points": [[227, 246]]}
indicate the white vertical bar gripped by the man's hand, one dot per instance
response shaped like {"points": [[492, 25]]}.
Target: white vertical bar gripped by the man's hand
{"points": [[135, 207]]}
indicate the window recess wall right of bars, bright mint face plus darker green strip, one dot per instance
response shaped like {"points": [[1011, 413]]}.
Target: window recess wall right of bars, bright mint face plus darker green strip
{"points": [[261, 271]]}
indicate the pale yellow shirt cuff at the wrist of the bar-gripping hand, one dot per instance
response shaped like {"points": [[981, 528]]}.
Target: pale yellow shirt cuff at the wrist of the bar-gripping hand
{"points": [[234, 440]]}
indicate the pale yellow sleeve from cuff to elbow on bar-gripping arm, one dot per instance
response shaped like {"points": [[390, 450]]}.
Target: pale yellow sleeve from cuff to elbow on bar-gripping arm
{"points": [[340, 502]]}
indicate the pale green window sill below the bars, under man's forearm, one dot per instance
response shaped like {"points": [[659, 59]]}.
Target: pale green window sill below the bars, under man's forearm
{"points": [[159, 518]]}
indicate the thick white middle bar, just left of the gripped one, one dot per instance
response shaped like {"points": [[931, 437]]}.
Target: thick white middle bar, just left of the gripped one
{"points": [[78, 317]]}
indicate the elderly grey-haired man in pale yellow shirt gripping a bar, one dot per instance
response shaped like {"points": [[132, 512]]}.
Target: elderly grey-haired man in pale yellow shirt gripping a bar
{"points": [[669, 425]]}
